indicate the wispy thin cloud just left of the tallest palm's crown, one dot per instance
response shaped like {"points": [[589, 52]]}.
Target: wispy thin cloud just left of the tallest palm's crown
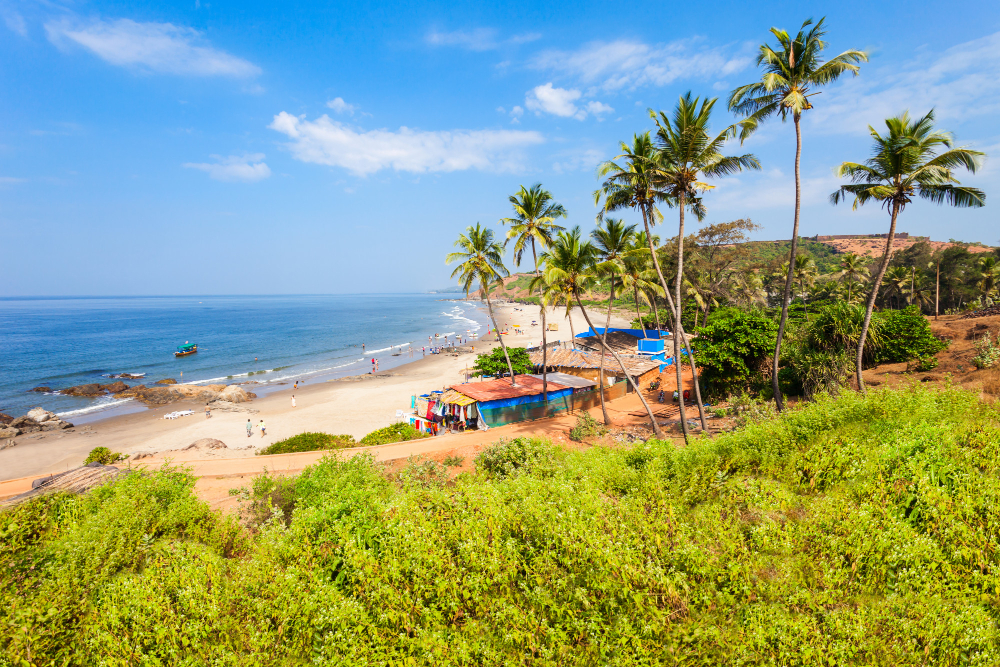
{"points": [[628, 64]]}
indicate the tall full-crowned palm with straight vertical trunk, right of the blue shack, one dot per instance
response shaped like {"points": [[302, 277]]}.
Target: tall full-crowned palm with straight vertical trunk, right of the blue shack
{"points": [[687, 153]]}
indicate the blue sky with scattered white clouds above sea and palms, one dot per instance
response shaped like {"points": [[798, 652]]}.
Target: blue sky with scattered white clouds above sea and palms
{"points": [[211, 147]]}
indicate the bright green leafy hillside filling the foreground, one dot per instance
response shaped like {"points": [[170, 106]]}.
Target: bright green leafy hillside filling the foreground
{"points": [[856, 531]]}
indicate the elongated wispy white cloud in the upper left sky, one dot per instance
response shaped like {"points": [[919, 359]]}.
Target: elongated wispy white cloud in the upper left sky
{"points": [[156, 47]]}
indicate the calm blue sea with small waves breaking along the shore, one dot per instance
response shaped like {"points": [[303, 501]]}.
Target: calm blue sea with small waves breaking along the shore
{"points": [[61, 342]]}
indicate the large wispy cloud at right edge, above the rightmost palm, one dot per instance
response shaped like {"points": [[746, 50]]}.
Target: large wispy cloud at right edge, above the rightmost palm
{"points": [[960, 83]]}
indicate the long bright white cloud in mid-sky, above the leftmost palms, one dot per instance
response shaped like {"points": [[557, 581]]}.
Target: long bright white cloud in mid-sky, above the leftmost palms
{"points": [[327, 141]]}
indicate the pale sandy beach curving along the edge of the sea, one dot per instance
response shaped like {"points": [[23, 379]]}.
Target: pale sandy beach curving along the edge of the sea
{"points": [[349, 406]]}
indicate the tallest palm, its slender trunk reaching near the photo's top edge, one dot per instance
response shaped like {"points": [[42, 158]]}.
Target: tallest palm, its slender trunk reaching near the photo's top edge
{"points": [[790, 71]]}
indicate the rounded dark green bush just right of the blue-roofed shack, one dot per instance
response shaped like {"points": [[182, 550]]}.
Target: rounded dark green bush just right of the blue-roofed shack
{"points": [[734, 351]]}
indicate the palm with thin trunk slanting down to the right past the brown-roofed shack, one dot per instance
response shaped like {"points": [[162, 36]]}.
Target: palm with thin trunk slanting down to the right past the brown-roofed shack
{"points": [[570, 265]]}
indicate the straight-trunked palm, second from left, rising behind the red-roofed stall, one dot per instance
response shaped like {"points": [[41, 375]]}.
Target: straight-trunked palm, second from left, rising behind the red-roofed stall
{"points": [[534, 213]]}
